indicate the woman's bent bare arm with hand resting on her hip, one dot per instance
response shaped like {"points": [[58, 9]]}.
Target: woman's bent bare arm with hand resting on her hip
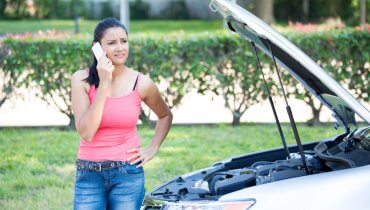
{"points": [[151, 96]]}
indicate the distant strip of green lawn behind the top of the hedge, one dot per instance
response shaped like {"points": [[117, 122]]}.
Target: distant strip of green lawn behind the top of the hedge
{"points": [[87, 26]]}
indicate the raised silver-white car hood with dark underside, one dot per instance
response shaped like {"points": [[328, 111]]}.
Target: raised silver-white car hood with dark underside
{"points": [[300, 65]]}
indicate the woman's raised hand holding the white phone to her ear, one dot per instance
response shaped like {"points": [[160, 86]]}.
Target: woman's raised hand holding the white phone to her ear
{"points": [[105, 69]]}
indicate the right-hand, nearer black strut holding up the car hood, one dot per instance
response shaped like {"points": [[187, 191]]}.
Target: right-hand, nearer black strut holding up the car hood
{"points": [[290, 114]]}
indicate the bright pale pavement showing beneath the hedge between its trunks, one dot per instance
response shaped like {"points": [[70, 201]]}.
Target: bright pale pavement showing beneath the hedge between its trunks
{"points": [[195, 108]]}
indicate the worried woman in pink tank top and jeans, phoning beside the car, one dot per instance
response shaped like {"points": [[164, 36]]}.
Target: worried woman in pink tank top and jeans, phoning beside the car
{"points": [[106, 102]]}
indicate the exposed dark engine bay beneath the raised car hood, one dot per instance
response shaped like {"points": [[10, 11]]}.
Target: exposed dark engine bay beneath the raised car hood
{"points": [[348, 150]]}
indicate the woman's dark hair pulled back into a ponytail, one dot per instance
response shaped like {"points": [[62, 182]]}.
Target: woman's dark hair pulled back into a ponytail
{"points": [[99, 31]]}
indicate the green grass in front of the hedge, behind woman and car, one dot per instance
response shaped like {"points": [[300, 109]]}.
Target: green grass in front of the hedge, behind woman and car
{"points": [[37, 166]]}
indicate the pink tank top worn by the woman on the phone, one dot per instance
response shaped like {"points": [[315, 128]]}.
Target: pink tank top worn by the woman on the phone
{"points": [[117, 131]]}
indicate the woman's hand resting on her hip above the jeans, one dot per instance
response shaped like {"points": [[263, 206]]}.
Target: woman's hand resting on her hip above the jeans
{"points": [[141, 154]]}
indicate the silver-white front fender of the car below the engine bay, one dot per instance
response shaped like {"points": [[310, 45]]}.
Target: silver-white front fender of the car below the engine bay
{"points": [[339, 190]]}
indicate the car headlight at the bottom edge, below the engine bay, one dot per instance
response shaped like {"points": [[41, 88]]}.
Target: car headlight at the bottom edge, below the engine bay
{"points": [[211, 205]]}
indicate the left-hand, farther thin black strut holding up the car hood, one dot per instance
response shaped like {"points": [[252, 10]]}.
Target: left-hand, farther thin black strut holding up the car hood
{"points": [[271, 103]]}
